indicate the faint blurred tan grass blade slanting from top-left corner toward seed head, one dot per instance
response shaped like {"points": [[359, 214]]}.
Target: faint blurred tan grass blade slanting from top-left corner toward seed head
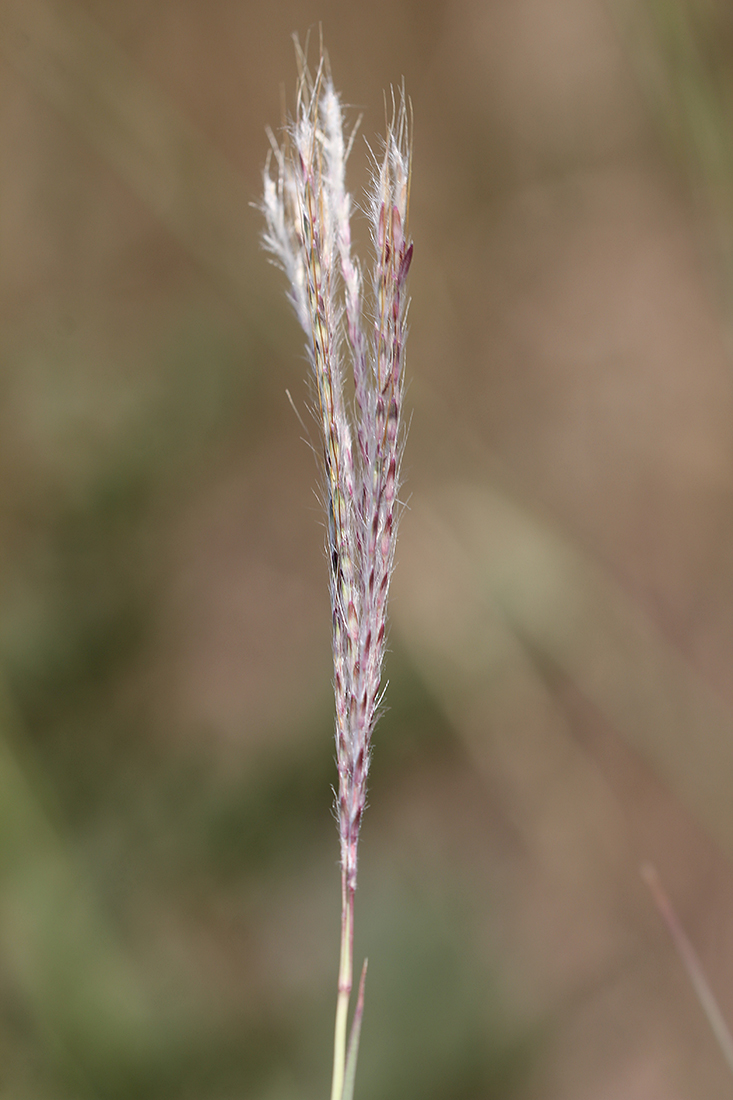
{"points": [[169, 164]]}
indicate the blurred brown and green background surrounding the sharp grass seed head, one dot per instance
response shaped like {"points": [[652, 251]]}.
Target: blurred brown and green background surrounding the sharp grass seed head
{"points": [[561, 700]]}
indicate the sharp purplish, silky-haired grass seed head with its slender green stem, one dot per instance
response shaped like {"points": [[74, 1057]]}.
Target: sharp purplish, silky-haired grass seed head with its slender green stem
{"points": [[360, 336]]}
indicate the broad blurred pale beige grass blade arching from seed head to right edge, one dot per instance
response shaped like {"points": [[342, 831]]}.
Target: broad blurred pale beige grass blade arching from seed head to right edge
{"points": [[485, 562]]}
